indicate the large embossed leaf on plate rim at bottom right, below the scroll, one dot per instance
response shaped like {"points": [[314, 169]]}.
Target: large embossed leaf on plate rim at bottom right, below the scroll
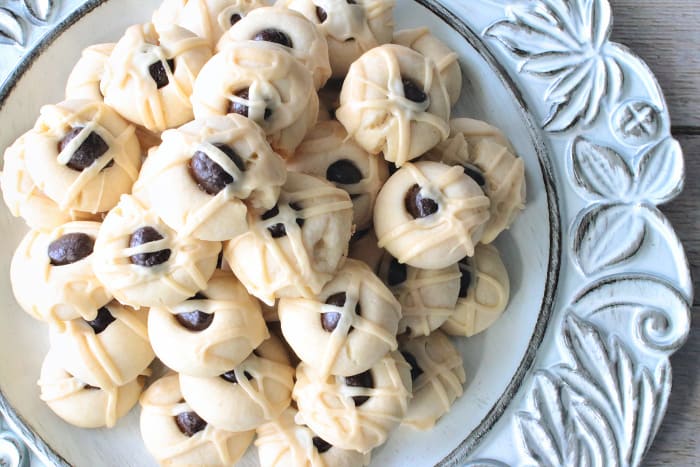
{"points": [[602, 410]]}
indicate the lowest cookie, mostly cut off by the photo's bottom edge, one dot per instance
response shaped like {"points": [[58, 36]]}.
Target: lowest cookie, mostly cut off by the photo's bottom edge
{"points": [[284, 443]]}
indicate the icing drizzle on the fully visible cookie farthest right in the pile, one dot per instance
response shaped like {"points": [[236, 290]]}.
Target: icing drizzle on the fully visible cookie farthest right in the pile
{"points": [[447, 223]]}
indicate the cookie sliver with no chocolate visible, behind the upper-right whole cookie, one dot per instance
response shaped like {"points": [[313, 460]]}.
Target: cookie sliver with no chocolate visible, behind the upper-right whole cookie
{"points": [[421, 40]]}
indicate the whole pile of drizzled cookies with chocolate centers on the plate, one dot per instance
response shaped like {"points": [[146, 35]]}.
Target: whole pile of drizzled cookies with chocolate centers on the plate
{"points": [[274, 202]]}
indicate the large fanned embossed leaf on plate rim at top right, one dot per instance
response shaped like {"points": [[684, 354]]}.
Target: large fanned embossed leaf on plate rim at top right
{"points": [[565, 42]]}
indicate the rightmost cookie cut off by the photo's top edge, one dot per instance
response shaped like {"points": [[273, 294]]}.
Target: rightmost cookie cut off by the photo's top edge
{"points": [[351, 28]]}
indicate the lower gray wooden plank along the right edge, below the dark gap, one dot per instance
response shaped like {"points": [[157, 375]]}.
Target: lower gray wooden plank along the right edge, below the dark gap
{"points": [[677, 440]]}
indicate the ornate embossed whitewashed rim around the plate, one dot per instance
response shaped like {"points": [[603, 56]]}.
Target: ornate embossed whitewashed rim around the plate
{"points": [[596, 377]]}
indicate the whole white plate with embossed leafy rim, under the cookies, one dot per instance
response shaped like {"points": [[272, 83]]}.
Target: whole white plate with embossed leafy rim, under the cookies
{"points": [[577, 370]]}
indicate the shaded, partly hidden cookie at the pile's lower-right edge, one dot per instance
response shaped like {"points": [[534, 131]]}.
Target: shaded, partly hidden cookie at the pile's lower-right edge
{"points": [[438, 374]]}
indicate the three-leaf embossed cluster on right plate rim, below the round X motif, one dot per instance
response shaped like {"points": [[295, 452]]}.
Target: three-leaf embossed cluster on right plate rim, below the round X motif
{"points": [[612, 231]]}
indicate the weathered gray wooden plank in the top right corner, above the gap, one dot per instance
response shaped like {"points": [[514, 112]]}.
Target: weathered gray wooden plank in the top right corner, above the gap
{"points": [[666, 35]]}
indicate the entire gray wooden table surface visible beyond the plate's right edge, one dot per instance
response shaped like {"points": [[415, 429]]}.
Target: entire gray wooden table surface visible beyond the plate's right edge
{"points": [[666, 34]]}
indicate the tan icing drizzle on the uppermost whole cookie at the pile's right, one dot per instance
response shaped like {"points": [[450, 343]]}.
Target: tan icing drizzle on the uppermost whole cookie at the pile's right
{"points": [[402, 109]]}
